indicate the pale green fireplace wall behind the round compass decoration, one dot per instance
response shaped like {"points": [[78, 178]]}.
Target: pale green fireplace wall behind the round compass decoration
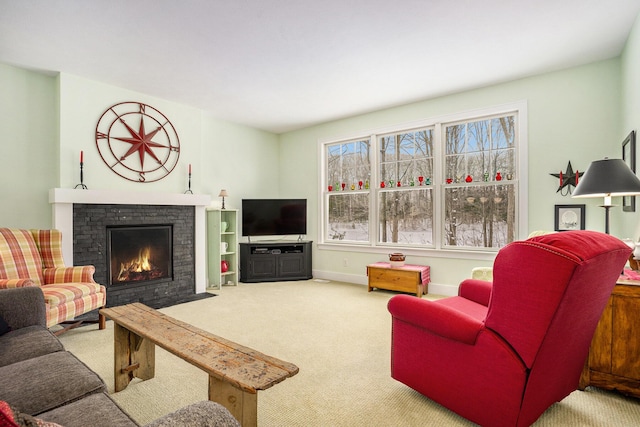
{"points": [[46, 121]]}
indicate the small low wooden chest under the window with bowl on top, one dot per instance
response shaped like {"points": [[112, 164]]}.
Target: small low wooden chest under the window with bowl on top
{"points": [[408, 278]]}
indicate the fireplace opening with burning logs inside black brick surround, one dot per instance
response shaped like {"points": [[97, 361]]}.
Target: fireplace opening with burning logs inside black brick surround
{"points": [[139, 253]]}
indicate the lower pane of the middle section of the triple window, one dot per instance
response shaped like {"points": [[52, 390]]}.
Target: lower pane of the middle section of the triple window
{"points": [[406, 216]]}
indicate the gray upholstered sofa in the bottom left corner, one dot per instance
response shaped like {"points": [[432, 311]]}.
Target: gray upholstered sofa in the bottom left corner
{"points": [[39, 378]]}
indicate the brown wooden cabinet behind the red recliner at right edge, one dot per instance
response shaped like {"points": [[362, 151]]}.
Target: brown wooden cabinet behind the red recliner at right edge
{"points": [[614, 356]]}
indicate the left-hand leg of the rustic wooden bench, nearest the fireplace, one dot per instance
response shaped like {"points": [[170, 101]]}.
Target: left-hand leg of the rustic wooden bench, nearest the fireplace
{"points": [[134, 357]]}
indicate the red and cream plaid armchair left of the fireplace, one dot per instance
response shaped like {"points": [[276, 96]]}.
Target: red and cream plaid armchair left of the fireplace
{"points": [[34, 258]]}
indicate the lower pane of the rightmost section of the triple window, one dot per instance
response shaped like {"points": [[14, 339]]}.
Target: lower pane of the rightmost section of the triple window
{"points": [[479, 216]]}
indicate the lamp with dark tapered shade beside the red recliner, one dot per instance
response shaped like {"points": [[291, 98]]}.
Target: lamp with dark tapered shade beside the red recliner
{"points": [[607, 178]]}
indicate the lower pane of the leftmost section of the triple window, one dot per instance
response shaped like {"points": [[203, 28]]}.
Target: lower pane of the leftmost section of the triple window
{"points": [[348, 217]]}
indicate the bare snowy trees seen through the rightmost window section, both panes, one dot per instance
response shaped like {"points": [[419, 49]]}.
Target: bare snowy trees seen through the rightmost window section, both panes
{"points": [[479, 155]]}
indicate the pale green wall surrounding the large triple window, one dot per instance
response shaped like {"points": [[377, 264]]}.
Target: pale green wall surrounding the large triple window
{"points": [[573, 115]]}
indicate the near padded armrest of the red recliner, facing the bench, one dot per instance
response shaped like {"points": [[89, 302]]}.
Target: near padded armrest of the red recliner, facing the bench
{"points": [[436, 318]]}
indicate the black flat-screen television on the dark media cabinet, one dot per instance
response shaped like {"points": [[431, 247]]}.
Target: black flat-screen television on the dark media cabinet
{"points": [[274, 217]]}
